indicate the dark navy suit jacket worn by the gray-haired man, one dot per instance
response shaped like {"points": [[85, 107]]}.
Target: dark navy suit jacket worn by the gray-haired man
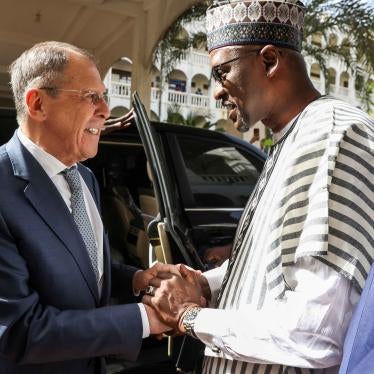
{"points": [[51, 318]]}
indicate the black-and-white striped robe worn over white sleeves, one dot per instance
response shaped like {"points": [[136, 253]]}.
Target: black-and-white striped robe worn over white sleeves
{"points": [[313, 198]]}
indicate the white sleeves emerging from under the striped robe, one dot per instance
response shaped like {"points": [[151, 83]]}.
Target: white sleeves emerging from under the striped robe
{"points": [[305, 329]]}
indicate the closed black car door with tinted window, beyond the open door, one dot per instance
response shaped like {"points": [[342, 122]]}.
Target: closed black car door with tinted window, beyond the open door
{"points": [[215, 174]]}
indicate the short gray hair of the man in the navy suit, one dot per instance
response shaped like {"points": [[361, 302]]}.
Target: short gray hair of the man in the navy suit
{"points": [[40, 66]]}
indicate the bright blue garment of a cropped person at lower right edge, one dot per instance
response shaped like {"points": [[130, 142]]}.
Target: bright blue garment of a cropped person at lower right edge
{"points": [[358, 353]]}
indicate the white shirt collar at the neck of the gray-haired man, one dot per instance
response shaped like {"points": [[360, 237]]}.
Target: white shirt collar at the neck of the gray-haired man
{"points": [[51, 165]]}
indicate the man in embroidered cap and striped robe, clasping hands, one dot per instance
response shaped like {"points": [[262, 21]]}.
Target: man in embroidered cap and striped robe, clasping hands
{"points": [[304, 245]]}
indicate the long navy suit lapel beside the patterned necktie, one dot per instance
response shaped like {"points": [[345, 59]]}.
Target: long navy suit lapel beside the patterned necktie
{"points": [[47, 201]]}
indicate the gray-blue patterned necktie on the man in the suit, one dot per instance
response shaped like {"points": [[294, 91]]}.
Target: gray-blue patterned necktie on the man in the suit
{"points": [[80, 215]]}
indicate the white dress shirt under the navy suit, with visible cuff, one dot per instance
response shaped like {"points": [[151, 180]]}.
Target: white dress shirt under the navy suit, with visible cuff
{"points": [[53, 168]]}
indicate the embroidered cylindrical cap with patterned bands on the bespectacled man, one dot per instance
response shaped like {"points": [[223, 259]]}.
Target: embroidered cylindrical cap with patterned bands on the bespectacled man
{"points": [[237, 22]]}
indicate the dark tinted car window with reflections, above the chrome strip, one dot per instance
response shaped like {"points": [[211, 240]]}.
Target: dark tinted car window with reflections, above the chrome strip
{"points": [[219, 174]]}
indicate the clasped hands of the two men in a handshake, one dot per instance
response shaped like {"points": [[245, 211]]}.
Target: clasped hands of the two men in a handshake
{"points": [[171, 290]]}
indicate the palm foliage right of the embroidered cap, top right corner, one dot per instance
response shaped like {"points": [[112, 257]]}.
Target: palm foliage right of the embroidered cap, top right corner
{"points": [[354, 18]]}
